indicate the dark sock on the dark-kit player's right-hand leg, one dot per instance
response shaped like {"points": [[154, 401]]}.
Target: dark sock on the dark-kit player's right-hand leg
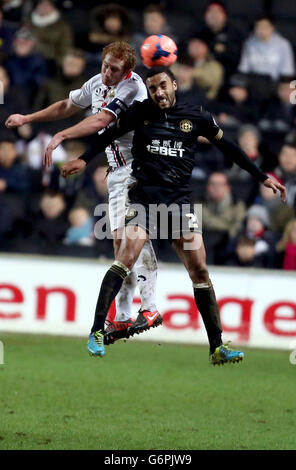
{"points": [[206, 303]]}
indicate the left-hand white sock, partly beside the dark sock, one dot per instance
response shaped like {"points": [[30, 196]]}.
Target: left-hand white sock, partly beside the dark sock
{"points": [[124, 298]]}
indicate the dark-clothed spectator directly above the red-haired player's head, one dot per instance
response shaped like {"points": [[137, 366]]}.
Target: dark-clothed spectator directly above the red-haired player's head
{"points": [[108, 23]]}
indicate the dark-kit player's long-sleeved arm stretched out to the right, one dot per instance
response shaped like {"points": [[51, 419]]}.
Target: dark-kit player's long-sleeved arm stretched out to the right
{"points": [[234, 152]]}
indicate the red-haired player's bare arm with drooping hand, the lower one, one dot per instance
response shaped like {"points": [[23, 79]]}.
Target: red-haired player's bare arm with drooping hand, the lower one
{"points": [[88, 126]]}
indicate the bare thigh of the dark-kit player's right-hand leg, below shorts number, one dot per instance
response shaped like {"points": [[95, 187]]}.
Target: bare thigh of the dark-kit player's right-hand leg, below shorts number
{"points": [[192, 253]]}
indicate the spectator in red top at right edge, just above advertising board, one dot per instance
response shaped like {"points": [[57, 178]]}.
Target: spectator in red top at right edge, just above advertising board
{"points": [[287, 247]]}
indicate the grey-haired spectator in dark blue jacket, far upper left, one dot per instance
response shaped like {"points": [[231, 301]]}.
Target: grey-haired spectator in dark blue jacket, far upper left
{"points": [[25, 67]]}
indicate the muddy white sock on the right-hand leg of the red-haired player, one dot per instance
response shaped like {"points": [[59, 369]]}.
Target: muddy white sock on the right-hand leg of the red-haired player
{"points": [[146, 268]]}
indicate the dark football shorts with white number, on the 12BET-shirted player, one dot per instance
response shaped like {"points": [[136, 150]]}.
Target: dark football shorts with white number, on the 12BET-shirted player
{"points": [[164, 213]]}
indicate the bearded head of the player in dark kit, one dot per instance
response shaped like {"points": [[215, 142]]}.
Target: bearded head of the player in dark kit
{"points": [[162, 90]]}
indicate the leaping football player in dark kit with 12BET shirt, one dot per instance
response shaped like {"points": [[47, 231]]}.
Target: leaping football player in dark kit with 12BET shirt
{"points": [[164, 142]]}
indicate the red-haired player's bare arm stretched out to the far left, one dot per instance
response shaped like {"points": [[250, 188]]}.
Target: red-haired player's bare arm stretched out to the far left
{"points": [[59, 110]]}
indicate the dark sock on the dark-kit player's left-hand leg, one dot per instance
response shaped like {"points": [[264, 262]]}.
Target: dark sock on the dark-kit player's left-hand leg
{"points": [[110, 287]]}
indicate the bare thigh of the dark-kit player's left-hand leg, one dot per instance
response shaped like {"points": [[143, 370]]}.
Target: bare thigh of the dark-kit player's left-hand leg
{"points": [[132, 242]]}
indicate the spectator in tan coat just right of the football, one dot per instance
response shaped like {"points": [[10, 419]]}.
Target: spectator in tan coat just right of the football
{"points": [[208, 72]]}
